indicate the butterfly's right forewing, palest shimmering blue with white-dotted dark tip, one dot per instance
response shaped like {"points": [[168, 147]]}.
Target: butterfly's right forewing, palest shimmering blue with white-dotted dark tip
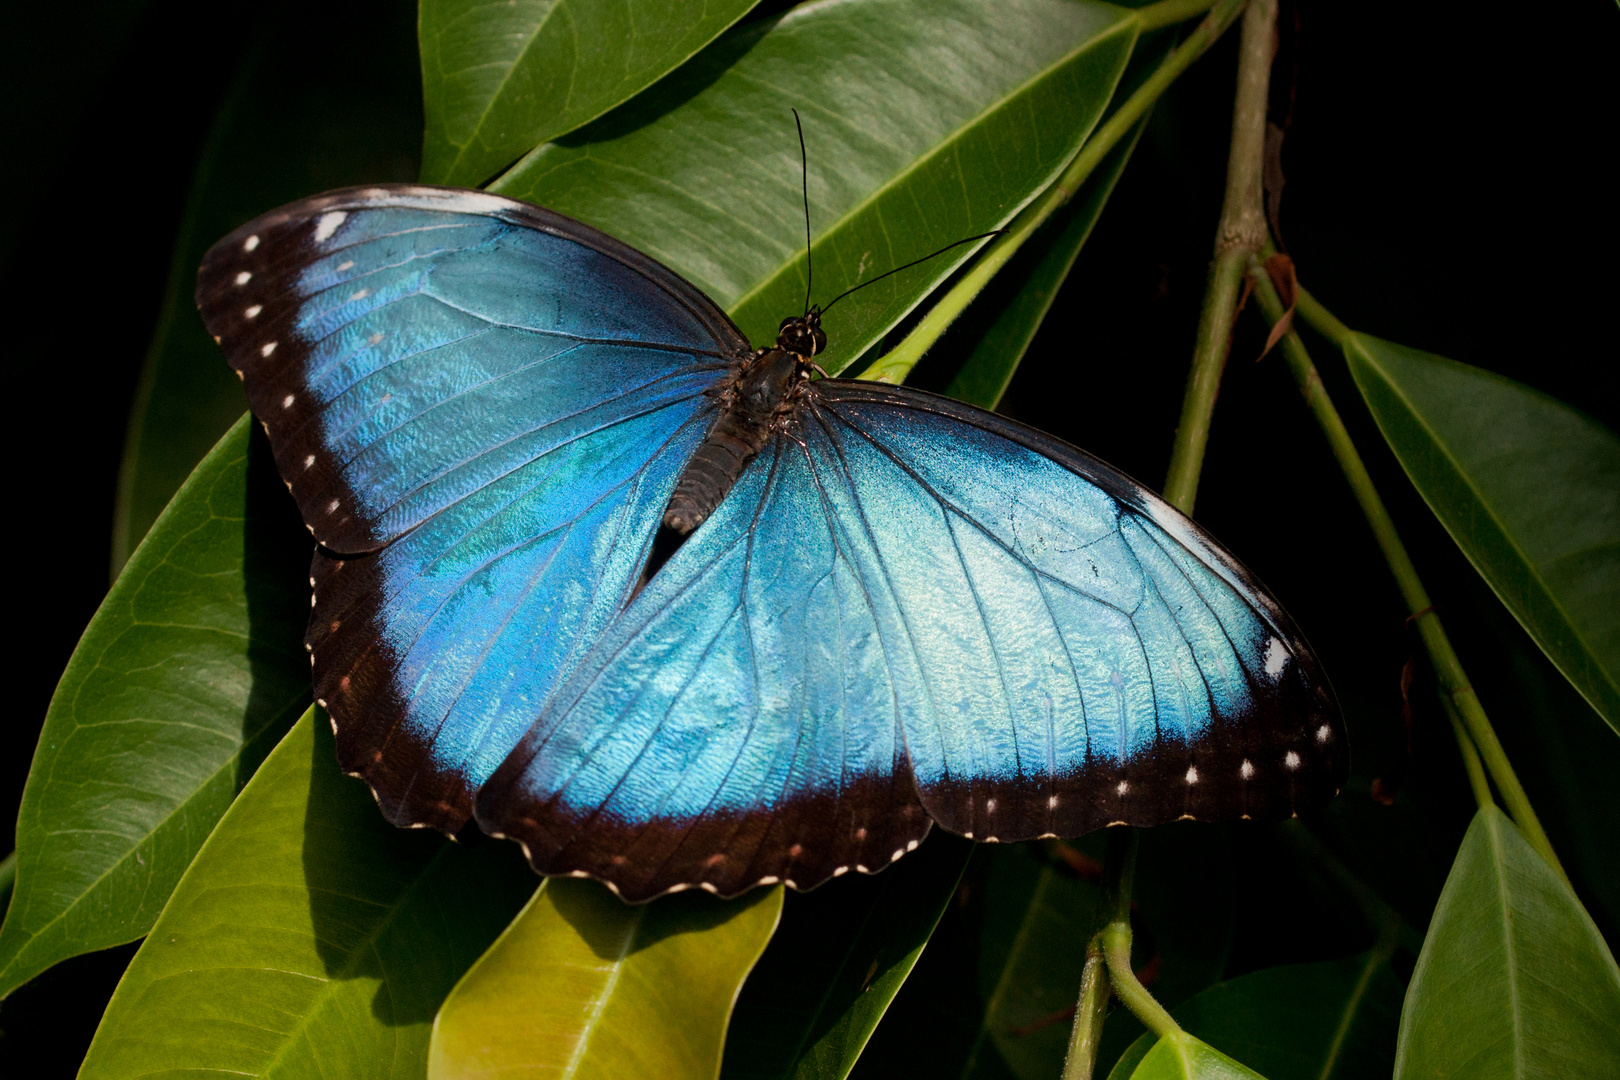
{"points": [[1106, 661]]}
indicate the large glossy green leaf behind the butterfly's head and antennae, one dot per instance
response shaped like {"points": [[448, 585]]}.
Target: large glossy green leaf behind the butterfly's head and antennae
{"points": [[927, 122]]}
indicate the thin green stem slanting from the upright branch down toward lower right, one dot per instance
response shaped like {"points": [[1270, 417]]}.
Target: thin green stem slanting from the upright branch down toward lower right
{"points": [[1447, 666]]}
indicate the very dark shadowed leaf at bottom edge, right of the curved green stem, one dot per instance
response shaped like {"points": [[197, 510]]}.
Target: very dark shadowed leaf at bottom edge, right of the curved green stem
{"points": [[1332, 1021]]}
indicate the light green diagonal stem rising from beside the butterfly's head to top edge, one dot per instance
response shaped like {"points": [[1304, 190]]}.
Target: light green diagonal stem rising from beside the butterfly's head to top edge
{"points": [[898, 364]]}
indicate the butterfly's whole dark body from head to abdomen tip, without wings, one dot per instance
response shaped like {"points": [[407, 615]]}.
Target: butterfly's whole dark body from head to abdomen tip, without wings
{"points": [[754, 402]]}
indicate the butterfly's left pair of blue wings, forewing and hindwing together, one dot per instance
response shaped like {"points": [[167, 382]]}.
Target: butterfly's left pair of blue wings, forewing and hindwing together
{"points": [[480, 409]]}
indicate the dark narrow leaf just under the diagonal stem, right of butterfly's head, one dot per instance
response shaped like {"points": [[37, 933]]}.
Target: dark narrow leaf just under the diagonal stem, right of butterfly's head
{"points": [[1025, 291]]}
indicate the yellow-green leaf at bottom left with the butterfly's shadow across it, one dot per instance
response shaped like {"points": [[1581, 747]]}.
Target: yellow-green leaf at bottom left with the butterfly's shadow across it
{"points": [[310, 938]]}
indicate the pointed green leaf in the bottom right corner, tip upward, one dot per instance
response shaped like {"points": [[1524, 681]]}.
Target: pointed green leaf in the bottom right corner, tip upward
{"points": [[1514, 979]]}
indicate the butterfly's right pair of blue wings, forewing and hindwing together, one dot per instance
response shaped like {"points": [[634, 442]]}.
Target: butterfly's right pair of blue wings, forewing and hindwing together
{"points": [[910, 610]]}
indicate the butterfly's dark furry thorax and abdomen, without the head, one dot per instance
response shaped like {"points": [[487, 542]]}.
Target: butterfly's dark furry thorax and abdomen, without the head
{"points": [[749, 410]]}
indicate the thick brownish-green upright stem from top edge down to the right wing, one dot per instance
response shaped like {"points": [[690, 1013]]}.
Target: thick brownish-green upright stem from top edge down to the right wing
{"points": [[1240, 236]]}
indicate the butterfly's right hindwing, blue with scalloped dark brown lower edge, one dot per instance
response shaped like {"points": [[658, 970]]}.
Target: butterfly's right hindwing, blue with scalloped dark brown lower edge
{"points": [[736, 726]]}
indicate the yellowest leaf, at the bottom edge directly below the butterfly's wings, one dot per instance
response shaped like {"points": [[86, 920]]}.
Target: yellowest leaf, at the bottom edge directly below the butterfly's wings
{"points": [[584, 985]]}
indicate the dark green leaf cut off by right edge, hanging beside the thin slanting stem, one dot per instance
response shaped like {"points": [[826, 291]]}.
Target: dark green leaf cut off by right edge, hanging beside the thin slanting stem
{"points": [[1527, 487]]}
